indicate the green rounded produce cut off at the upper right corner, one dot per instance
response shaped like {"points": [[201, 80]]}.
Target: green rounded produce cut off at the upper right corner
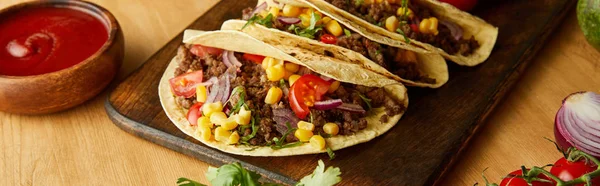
{"points": [[588, 14]]}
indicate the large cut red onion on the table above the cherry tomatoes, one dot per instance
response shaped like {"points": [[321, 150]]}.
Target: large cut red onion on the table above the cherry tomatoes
{"points": [[577, 123]]}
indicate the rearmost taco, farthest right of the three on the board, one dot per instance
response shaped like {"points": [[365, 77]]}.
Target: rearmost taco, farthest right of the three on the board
{"points": [[435, 26]]}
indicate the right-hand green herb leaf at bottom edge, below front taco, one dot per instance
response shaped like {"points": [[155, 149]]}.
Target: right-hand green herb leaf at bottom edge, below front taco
{"points": [[323, 177]]}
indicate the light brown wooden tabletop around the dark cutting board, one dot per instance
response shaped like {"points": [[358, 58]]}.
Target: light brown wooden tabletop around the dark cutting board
{"points": [[81, 146]]}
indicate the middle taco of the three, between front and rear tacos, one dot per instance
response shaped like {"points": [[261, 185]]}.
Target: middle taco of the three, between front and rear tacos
{"points": [[302, 27]]}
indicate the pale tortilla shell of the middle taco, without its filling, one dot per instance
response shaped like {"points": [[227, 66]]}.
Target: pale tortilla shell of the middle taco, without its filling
{"points": [[431, 64]]}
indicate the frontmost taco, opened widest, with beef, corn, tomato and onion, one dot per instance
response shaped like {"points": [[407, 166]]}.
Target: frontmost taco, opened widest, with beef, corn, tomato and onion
{"points": [[242, 96]]}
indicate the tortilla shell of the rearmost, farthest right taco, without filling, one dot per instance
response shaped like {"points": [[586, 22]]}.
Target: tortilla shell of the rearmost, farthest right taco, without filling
{"points": [[483, 32]]}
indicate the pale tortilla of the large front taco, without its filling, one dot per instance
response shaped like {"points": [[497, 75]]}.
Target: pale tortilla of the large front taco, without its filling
{"points": [[344, 72]]}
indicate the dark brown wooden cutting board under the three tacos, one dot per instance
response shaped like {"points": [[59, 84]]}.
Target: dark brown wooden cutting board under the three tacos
{"points": [[417, 151]]}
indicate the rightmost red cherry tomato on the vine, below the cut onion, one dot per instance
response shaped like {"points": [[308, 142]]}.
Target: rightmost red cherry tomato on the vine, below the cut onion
{"points": [[568, 171]]}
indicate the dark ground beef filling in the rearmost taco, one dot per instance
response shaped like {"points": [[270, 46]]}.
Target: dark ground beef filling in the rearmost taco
{"points": [[376, 13]]}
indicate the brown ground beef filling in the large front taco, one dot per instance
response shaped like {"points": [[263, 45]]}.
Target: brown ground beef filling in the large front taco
{"points": [[253, 79]]}
